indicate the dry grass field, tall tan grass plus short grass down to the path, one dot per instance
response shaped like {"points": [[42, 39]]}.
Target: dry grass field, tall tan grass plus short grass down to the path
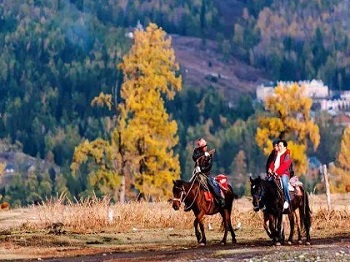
{"points": [[57, 228]]}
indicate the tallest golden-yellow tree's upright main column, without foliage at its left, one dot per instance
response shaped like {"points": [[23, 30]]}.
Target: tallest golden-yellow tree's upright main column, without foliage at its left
{"points": [[147, 132]]}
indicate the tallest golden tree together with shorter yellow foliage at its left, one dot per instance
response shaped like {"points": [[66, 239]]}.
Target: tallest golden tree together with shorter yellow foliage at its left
{"points": [[139, 151]]}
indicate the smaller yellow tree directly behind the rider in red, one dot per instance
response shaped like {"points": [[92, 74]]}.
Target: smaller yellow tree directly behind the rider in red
{"points": [[287, 116]]}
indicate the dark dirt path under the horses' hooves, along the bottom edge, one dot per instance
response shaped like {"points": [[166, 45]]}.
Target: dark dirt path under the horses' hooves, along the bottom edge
{"points": [[333, 249]]}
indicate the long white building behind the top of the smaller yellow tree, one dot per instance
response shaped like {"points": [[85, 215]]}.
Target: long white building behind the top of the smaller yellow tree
{"points": [[314, 89]]}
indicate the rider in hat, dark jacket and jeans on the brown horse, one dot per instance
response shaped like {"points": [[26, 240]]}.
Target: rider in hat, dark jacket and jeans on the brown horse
{"points": [[201, 151]]}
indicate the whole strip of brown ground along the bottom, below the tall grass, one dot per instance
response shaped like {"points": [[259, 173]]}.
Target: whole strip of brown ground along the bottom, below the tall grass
{"points": [[336, 248]]}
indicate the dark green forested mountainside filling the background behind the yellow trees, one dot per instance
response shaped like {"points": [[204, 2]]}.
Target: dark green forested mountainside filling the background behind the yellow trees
{"points": [[56, 56]]}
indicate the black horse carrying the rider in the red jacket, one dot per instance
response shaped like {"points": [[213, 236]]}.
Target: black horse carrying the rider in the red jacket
{"points": [[270, 193]]}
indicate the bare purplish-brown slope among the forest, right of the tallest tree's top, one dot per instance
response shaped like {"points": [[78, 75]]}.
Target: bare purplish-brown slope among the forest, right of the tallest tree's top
{"points": [[203, 66]]}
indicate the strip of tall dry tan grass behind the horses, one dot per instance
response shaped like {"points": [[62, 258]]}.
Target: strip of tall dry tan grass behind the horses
{"points": [[96, 216]]}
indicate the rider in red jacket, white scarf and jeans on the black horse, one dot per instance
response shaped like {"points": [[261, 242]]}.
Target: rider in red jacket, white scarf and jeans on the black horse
{"points": [[281, 167]]}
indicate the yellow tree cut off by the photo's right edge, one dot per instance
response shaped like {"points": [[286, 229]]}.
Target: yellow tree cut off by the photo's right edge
{"points": [[341, 169]]}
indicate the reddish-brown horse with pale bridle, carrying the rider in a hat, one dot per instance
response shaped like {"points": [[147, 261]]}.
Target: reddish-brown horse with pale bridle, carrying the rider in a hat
{"points": [[193, 195]]}
